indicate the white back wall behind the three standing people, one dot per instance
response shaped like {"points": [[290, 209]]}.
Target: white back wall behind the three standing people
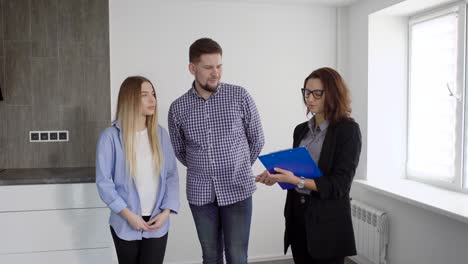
{"points": [[268, 48]]}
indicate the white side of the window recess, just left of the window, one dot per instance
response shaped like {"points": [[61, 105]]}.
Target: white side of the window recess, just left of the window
{"points": [[387, 96]]}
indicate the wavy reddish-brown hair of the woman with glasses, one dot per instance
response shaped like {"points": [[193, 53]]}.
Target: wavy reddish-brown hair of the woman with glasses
{"points": [[337, 105]]}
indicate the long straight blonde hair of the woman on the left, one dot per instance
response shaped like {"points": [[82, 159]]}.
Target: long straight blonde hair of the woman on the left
{"points": [[128, 111]]}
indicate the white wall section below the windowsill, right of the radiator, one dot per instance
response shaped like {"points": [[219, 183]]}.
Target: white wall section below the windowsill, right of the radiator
{"points": [[419, 236]]}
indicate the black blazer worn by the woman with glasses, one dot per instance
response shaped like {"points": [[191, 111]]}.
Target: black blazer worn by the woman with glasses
{"points": [[328, 215]]}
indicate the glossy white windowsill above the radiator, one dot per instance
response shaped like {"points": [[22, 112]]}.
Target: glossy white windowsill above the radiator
{"points": [[445, 202]]}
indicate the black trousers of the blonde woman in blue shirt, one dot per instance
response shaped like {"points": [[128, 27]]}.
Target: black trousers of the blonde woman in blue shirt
{"points": [[145, 251]]}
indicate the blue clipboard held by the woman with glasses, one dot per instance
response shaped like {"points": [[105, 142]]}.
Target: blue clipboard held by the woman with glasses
{"points": [[296, 160]]}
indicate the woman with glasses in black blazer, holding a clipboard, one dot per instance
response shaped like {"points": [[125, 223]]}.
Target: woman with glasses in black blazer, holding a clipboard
{"points": [[317, 212]]}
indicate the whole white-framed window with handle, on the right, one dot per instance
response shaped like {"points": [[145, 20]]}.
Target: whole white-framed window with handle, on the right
{"points": [[436, 98]]}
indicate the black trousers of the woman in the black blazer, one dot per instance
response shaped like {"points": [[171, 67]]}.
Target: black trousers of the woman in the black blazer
{"points": [[298, 235]]}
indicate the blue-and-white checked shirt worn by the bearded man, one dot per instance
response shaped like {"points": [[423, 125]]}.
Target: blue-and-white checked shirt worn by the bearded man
{"points": [[218, 140]]}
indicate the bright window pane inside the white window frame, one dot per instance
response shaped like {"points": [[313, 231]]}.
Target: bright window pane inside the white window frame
{"points": [[432, 117]]}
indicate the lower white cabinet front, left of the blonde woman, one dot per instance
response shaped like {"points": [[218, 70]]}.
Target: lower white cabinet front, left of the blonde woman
{"points": [[34, 231]]}
